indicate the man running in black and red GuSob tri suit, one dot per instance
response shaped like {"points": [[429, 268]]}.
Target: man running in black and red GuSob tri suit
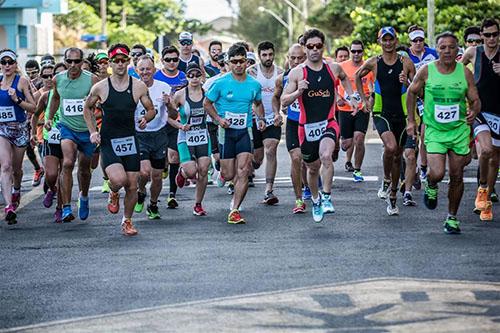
{"points": [[314, 85]]}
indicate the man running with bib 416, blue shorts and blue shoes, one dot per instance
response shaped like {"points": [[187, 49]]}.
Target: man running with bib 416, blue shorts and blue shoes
{"points": [[71, 87]]}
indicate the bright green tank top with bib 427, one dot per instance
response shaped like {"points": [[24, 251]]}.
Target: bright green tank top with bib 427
{"points": [[445, 105]]}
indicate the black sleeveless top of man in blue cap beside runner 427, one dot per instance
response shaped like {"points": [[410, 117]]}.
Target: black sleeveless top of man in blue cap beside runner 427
{"points": [[390, 89]]}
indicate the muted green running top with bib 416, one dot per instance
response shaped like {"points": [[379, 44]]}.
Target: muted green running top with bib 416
{"points": [[73, 94]]}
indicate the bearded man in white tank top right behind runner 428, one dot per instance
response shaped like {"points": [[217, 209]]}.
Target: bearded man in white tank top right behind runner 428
{"points": [[266, 142]]}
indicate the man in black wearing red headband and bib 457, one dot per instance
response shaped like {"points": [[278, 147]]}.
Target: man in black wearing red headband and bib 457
{"points": [[119, 95]]}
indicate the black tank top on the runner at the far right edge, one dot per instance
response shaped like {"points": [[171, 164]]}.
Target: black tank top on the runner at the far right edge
{"points": [[488, 84]]}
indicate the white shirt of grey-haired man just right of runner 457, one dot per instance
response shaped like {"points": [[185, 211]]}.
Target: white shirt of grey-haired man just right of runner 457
{"points": [[156, 92]]}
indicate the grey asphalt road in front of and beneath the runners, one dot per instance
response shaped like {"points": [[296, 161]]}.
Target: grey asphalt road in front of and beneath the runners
{"points": [[359, 270]]}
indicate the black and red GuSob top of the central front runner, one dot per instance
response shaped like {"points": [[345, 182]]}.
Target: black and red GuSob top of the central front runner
{"points": [[318, 100]]}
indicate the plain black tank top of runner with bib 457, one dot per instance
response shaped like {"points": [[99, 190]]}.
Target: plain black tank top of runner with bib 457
{"points": [[118, 113]]}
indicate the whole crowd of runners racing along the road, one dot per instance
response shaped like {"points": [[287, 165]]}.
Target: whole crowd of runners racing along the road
{"points": [[197, 122]]}
